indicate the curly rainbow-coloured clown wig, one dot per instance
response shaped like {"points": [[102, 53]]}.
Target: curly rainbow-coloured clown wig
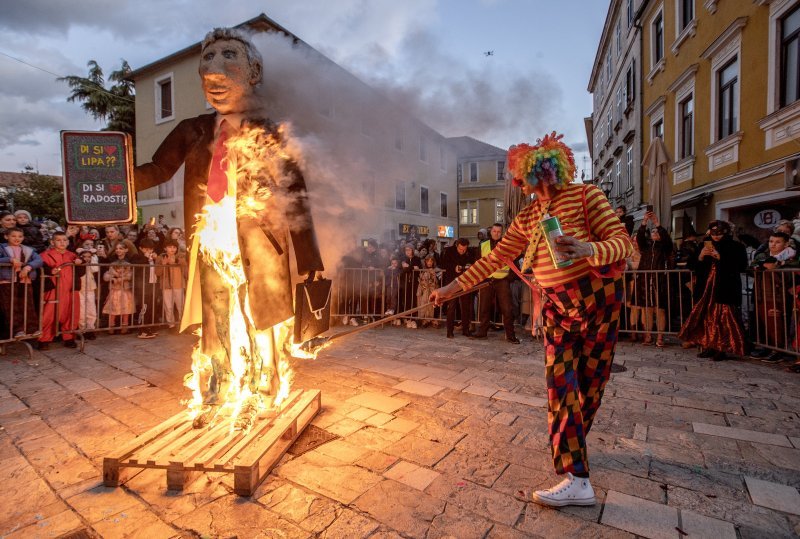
{"points": [[550, 161]]}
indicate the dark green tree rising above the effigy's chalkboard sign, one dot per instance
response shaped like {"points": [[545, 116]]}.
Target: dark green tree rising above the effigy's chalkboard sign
{"points": [[114, 105]]}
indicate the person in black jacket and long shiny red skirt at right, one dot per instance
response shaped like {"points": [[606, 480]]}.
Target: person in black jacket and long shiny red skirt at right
{"points": [[715, 323]]}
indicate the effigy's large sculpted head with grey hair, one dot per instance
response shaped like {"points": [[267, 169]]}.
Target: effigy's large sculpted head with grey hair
{"points": [[230, 69]]}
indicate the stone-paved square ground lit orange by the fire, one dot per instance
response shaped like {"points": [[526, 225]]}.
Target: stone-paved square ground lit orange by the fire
{"points": [[436, 438]]}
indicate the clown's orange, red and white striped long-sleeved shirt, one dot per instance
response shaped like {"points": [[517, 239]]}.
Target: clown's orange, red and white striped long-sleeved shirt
{"points": [[611, 242]]}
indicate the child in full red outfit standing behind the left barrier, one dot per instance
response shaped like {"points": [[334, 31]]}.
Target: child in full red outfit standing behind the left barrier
{"points": [[62, 271]]}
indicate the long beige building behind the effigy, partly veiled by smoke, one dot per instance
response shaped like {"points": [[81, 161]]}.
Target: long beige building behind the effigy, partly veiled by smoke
{"points": [[378, 171]]}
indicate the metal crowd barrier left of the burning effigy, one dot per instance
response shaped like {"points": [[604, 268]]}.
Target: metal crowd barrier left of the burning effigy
{"points": [[24, 308]]}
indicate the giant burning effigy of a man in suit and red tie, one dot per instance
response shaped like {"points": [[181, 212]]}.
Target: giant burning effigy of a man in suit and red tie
{"points": [[244, 198]]}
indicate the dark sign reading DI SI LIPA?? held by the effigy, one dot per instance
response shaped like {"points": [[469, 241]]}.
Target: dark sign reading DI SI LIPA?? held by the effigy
{"points": [[98, 177]]}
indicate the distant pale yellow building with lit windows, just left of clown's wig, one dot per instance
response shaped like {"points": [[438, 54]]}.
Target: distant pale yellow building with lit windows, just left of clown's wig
{"points": [[481, 185]]}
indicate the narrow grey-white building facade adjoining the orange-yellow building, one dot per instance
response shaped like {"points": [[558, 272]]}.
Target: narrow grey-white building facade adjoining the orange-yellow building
{"points": [[613, 130]]}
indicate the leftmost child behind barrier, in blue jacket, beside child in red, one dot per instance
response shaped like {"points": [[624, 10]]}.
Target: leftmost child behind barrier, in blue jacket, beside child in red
{"points": [[18, 265]]}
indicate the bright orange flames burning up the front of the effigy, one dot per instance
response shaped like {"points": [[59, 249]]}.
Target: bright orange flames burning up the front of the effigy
{"points": [[252, 368]]}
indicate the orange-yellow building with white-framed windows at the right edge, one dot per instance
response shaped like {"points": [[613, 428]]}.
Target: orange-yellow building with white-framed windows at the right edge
{"points": [[721, 86]]}
